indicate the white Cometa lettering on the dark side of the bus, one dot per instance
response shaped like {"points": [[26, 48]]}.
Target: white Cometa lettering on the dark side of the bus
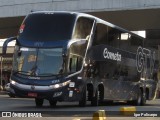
{"points": [[111, 55]]}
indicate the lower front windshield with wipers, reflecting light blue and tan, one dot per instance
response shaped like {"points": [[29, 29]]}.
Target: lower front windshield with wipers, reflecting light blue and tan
{"points": [[38, 61]]}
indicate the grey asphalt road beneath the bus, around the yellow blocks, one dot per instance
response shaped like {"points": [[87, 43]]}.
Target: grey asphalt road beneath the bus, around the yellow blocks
{"points": [[71, 110]]}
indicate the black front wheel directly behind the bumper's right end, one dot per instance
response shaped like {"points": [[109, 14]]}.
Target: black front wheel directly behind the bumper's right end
{"points": [[83, 101]]}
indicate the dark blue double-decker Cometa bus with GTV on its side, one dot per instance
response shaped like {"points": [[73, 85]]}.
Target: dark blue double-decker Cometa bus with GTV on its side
{"points": [[70, 56]]}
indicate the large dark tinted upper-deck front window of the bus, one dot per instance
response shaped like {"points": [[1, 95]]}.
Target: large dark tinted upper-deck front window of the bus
{"points": [[43, 26]]}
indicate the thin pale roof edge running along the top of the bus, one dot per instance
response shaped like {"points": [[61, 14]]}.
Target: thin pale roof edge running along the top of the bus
{"points": [[98, 20]]}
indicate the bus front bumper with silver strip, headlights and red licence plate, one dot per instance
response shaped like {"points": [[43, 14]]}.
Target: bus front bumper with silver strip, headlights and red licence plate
{"points": [[59, 93]]}
